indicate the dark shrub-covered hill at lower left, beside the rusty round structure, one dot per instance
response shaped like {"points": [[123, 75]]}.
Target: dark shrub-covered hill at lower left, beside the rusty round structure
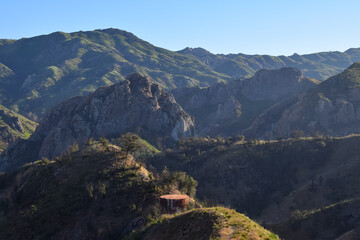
{"points": [[97, 192]]}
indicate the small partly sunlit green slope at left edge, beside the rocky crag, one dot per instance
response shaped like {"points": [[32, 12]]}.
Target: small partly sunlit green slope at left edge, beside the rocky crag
{"points": [[13, 127]]}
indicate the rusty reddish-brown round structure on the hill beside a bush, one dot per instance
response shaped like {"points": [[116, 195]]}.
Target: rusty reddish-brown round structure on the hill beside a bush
{"points": [[174, 202]]}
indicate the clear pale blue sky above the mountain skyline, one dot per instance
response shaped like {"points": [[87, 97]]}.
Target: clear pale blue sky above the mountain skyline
{"points": [[273, 27]]}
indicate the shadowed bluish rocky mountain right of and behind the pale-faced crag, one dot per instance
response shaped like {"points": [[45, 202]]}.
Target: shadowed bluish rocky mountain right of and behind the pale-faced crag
{"points": [[227, 109]]}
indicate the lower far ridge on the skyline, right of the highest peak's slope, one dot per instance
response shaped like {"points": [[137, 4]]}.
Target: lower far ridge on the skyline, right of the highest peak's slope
{"points": [[317, 65]]}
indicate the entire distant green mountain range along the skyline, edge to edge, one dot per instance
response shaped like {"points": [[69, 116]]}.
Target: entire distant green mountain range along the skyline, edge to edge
{"points": [[39, 72]]}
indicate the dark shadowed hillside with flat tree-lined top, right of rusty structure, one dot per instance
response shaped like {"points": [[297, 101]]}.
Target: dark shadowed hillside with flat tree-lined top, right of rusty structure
{"points": [[268, 180]]}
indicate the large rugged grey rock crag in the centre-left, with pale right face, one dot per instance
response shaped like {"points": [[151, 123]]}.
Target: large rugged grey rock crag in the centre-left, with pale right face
{"points": [[134, 105]]}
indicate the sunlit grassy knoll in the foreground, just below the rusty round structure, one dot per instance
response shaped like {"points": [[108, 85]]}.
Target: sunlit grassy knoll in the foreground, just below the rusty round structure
{"points": [[207, 223]]}
